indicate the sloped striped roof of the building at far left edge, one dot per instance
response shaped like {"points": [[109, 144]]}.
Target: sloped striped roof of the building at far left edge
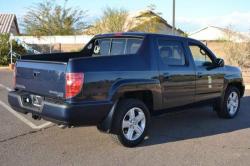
{"points": [[8, 24]]}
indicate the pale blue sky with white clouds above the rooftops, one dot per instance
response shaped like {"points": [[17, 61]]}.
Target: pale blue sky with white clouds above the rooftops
{"points": [[191, 15]]}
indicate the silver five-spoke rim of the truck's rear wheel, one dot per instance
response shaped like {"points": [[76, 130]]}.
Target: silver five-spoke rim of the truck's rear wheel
{"points": [[133, 124]]}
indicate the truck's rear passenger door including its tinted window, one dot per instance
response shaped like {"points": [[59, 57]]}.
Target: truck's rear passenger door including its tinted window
{"points": [[177, 74]]}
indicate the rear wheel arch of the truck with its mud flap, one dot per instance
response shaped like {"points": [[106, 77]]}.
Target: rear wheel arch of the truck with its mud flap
{"points": [[143, 91]]}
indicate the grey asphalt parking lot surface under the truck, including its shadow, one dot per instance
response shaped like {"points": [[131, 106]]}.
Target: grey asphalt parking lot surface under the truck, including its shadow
{"points": [[190, 137]]}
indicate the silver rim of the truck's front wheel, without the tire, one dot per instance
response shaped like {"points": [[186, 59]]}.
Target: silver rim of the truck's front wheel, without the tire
{"points": [[232, 103]]}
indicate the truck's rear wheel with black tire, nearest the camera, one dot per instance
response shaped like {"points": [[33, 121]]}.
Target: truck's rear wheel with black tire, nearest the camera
{"points": [[131, 121]]}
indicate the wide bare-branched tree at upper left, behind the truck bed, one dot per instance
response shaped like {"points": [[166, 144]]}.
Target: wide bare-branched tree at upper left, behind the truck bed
{"points": [[49, 18]]}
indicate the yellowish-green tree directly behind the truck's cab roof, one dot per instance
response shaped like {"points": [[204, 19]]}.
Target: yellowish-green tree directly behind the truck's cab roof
{"points": [[112, 20]]}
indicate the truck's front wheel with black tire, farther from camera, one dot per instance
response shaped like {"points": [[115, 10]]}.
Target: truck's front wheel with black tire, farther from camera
{"points": [[229, 105]]}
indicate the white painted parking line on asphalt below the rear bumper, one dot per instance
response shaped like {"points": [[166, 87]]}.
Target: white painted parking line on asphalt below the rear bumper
{"points": [[23, 119]]}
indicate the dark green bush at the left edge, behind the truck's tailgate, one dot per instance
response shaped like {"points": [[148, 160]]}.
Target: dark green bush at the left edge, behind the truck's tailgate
{"points": [[5, 49]]}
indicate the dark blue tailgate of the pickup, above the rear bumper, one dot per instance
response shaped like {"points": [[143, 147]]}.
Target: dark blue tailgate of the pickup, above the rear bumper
{"points": [[41, 77]]}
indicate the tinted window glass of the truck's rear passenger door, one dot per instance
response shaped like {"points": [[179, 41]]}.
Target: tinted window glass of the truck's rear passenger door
{"points": [[171, 52]]}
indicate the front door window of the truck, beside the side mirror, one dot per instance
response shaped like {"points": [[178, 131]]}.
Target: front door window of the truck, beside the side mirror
{"points": [[200, 56]]}
